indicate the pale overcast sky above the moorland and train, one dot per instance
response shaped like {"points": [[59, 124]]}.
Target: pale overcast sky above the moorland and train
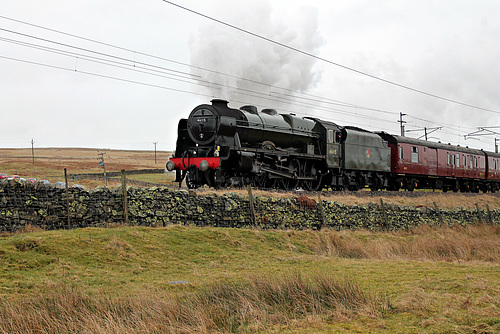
{"points": [[120, 74]]}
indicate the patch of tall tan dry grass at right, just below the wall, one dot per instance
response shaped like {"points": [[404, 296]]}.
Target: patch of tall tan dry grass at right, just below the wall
{"points": [[425, 243]]}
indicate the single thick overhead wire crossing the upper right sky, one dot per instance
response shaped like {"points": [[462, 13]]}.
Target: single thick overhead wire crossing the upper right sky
{"points": [[327, 60]]}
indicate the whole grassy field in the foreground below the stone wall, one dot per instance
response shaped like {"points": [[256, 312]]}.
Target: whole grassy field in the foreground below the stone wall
{"points": [[187, 279]]}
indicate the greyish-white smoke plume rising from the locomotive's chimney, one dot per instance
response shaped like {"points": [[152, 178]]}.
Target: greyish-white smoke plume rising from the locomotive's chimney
{"points": [[255, 65]]}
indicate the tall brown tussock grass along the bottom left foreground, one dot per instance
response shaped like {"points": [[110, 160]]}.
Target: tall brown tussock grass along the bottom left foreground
{"points": [[255, 304]]}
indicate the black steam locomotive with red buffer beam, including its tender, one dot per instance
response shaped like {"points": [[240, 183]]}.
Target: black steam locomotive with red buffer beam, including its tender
{"points": [[221, 146]]}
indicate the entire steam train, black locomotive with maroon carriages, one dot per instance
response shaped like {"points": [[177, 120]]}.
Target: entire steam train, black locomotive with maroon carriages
{"points": [[221, 146]]}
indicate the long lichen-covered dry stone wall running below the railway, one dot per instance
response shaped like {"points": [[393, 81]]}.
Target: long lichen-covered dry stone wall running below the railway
{"points": [[51, 208]]}
